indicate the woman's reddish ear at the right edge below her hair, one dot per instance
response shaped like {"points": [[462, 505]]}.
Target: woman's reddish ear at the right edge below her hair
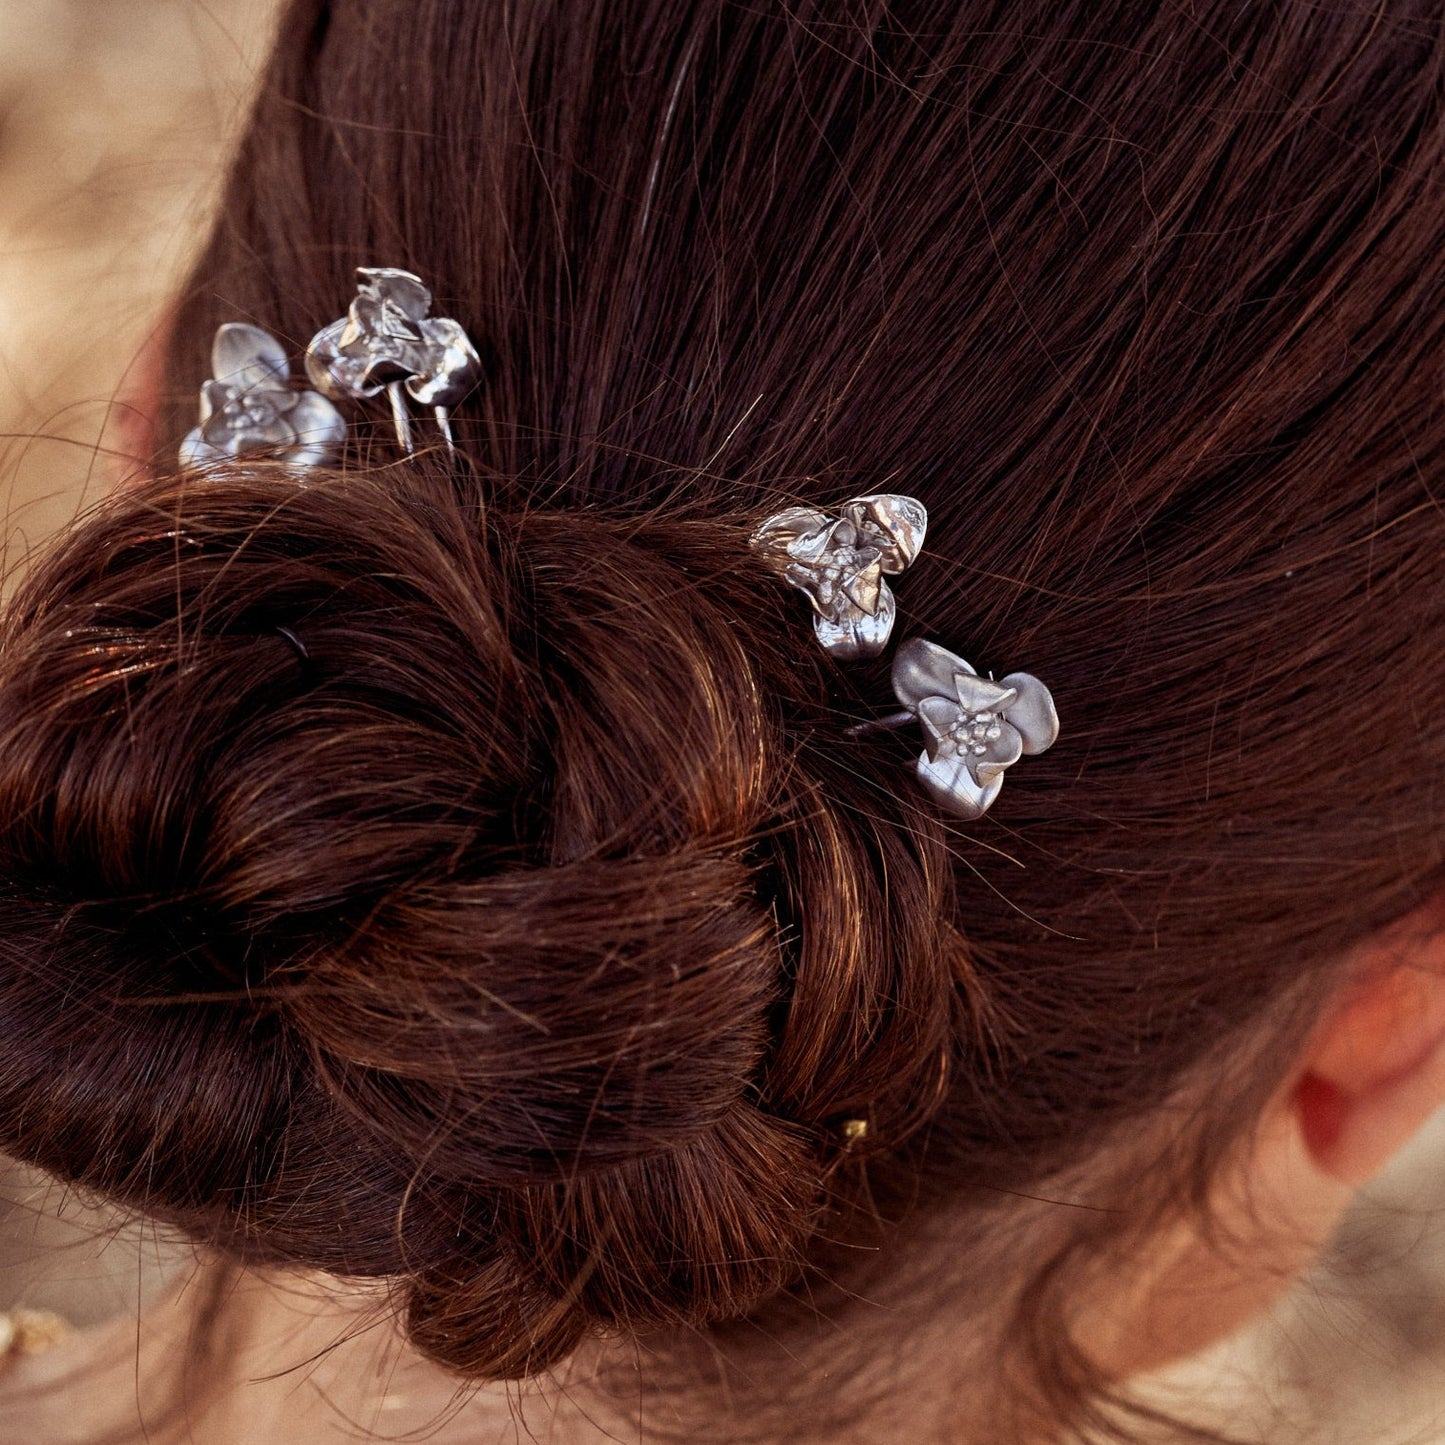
{"points": [[1375, 1070]]}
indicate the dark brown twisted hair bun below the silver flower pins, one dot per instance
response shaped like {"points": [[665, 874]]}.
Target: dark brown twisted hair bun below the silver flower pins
{"points": [[446, 949]]}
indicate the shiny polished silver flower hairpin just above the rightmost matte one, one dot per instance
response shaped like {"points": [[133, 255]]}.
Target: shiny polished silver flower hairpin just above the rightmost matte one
{"points": [[840, 561]]}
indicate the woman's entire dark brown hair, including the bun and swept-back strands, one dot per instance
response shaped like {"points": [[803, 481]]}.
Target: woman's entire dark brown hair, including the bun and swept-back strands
{"points": [[532, 939]]}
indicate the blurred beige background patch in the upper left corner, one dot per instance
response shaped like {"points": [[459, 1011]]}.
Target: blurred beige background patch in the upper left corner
{"points": [[115, 124]]}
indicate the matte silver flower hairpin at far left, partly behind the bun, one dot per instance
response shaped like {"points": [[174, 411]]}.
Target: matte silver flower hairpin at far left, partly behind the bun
{"points": [[249, 405]]}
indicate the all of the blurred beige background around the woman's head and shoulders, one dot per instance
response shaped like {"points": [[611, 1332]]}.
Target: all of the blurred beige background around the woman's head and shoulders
{"points": [[115, 122]]}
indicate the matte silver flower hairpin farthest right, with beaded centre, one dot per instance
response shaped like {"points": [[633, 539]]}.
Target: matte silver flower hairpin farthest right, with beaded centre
{"points": [[975, 729]]}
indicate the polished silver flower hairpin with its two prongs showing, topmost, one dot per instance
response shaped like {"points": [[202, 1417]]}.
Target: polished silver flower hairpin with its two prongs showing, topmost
{"points": [[388, 342]]}
